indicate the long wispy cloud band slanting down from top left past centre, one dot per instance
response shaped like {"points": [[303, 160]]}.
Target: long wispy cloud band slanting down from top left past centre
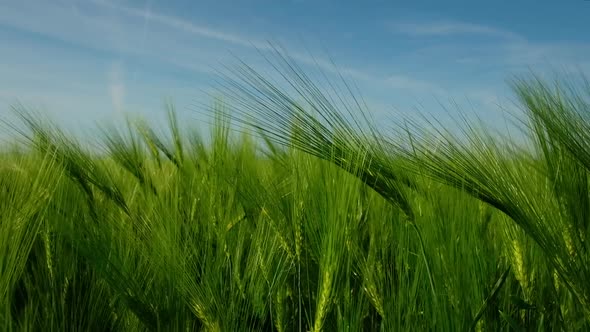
{"points": [[121, 29]]}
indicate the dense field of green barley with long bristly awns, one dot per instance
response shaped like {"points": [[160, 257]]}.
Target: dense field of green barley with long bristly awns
{"points": [[328, 225]]}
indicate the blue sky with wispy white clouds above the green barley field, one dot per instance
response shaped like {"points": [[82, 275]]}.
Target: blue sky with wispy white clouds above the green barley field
{"points": [[87, 60]]}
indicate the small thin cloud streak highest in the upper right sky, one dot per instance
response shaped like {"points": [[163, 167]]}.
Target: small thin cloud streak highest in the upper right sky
{"points": [[449, 28]]}
